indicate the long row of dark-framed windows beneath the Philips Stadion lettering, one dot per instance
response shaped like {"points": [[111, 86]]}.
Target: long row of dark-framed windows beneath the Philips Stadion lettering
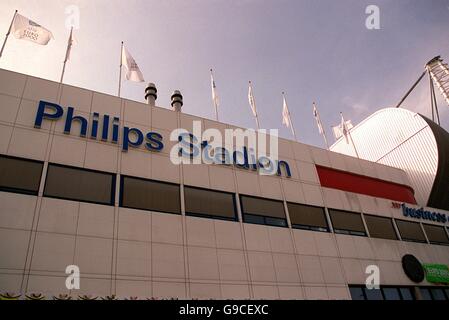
{"points": [[23, 176]]}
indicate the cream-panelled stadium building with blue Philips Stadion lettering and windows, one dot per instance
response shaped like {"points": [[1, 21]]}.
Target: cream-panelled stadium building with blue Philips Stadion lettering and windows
{"points": [[87, 180]]}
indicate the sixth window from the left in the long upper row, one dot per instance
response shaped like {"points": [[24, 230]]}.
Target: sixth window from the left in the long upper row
{"points": [[307, 217]]}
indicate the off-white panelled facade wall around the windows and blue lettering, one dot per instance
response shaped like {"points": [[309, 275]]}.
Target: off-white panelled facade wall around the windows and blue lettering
{"points": [[131, 252]]}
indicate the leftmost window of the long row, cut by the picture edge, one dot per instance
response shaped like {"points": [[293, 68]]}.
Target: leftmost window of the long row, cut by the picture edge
{"points": [[20, 175]]}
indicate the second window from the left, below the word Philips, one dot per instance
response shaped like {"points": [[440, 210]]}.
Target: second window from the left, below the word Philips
{"points": [[80, 184]]}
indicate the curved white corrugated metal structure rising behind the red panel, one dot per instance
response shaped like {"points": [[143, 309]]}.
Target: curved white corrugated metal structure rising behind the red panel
{"points": [[398, 138]]}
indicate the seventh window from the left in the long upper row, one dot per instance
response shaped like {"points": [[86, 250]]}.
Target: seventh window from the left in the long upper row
{"points": [[347, 222]]}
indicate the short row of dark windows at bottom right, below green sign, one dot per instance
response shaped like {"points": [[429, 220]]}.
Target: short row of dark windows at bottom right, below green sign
{"points": [[398, 293]]}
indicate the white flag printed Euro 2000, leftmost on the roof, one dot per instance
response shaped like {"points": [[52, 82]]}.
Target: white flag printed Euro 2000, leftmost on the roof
{"points": [[26, 29]]}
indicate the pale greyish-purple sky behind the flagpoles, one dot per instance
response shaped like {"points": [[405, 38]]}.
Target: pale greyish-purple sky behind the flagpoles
{"points": [[314, 50]]}
